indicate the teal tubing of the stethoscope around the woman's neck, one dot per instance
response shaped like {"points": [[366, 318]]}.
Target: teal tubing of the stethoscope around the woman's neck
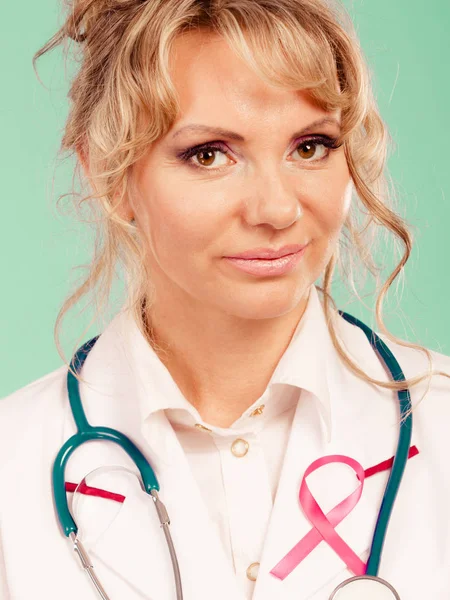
{"points": [[87, 432]]}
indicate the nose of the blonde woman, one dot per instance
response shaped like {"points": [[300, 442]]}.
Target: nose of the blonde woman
{"points": [[274, 200]]}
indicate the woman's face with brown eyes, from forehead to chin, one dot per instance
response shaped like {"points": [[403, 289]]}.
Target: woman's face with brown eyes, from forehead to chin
{"points": [[266, 188]]}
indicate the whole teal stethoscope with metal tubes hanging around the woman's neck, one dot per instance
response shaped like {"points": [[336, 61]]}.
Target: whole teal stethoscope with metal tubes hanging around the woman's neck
{"points": [[368, 586]]}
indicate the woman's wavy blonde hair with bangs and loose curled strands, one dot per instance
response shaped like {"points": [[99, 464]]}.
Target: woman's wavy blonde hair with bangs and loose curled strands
{"points": [[122, 100]]}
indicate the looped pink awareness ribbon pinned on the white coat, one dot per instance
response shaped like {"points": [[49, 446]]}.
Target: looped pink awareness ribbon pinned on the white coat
{"points": [[323, 525]]}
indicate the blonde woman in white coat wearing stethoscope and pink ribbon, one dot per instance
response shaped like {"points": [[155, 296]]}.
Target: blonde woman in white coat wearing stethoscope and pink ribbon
{"points": [[209, 130]]}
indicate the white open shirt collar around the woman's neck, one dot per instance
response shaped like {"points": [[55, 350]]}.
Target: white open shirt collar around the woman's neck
{"points": [[303, 365]]}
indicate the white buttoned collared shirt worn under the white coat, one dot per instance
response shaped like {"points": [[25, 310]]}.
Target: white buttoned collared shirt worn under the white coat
{"points": [[239, 491]]}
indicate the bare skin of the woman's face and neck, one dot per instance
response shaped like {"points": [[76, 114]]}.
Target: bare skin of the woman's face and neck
{"points": [[226, 329]]}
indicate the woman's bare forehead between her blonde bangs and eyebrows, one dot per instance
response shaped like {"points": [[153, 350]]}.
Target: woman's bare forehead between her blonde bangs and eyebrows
{"points": [[215, 84]]}
